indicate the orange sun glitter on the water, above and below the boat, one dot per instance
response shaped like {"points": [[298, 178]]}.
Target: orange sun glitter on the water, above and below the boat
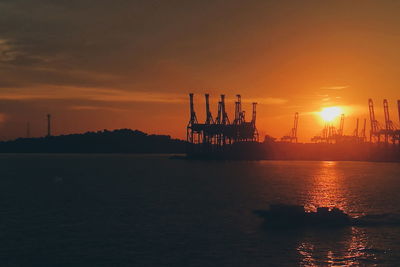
{"points": [[338, 247]]}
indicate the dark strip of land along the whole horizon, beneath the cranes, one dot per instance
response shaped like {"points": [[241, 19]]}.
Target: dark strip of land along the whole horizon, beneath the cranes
{"points": [[135, 141]]}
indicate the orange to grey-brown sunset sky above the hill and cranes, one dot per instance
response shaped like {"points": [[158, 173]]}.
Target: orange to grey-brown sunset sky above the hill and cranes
{"points": [[131, 64]]}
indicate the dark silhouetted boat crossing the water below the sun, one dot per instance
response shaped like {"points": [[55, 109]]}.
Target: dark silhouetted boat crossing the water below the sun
{"points": [[291, 216]]}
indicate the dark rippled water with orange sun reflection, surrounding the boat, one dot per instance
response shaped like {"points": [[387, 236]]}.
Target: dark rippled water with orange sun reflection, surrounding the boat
{"points": [[127, 210]]}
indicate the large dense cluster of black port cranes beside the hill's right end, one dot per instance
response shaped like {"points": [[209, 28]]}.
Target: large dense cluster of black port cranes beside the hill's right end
{"points": [[215, 134]]}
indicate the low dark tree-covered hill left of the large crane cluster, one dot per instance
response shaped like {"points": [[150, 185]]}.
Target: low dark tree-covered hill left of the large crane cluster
{"points": [[116, 141]]}
